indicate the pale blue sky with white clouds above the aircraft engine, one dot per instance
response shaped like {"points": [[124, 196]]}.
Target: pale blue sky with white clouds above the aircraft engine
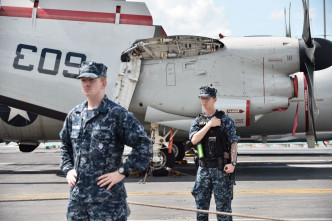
{"points": [[238, 17]]}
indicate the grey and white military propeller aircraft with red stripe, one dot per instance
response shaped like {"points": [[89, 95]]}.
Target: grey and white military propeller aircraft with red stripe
{"points": [[156, 76]]}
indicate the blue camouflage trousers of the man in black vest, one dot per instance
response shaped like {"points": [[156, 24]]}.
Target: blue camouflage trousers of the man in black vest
{"points": [[208, 180]]}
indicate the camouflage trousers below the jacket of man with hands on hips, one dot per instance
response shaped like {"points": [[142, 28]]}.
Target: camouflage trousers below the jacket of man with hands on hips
{"points": [[97, 211]]}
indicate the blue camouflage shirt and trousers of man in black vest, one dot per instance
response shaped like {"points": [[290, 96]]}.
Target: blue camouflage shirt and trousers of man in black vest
{"points": [[212, 179]]}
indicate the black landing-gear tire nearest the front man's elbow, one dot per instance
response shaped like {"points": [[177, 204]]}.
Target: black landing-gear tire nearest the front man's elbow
{"points": [[168, 161]]}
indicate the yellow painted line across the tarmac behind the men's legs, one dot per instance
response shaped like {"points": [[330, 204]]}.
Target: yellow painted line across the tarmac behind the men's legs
{"points": [[267, 192]]}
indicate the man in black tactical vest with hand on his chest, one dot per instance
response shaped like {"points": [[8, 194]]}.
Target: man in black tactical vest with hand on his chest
{"points": [[215, 166]]}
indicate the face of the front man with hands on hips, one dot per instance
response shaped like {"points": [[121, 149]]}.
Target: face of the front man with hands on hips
{"points": [[93, 87]]}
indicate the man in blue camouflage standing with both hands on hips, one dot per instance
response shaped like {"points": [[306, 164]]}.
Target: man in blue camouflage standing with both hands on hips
{"points": [[93, 138]]}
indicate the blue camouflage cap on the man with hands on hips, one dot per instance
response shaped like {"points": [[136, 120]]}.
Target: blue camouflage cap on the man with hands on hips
{"points": [[91, 69]]}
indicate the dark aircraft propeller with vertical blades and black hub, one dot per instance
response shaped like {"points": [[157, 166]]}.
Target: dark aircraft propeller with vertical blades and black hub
{"points": [[314, 55]]}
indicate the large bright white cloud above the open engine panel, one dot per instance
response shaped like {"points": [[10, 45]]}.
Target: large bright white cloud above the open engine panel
{"points": [[189, 17]]}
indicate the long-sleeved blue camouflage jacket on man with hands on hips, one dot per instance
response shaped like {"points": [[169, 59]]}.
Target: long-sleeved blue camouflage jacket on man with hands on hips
{"points": [[95, 147]]}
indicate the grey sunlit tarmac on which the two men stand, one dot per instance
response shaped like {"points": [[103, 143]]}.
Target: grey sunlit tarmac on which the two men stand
{"points": [[288, 186]]}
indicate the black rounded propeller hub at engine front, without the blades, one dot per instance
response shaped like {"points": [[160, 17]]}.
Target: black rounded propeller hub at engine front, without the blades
{"points": [[322, 54]]}
